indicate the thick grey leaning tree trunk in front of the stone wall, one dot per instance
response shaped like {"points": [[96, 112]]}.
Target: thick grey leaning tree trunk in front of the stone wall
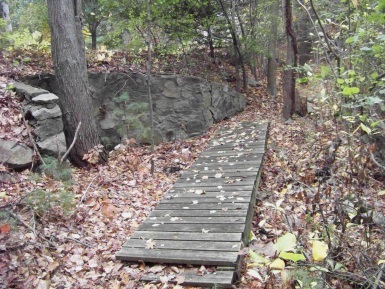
{"points": [[68, 53]]}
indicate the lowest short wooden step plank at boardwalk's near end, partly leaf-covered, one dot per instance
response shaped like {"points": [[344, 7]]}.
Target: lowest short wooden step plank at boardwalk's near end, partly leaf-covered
{"points": [[219, 279]]}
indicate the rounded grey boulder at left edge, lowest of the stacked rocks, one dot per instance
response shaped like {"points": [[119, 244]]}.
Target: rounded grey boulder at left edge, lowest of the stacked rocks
{"points": [[14, 155]]}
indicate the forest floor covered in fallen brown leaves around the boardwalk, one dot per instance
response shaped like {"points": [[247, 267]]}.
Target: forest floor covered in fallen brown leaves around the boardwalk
{"points": [[319, 185]]}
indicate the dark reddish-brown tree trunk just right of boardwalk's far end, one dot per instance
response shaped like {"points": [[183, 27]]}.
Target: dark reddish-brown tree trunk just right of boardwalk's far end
{"points": [[291, 60]]}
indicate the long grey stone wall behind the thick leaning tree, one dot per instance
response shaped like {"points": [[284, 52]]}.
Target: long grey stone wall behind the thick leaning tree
{"points": [[183, 106]]}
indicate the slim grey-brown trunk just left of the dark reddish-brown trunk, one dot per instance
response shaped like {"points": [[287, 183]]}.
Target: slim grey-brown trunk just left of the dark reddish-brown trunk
{"points": [[271, 62]]}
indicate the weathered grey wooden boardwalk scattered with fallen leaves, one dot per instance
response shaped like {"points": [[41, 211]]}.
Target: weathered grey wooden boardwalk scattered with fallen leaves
{"points": [[205, 219]]}
